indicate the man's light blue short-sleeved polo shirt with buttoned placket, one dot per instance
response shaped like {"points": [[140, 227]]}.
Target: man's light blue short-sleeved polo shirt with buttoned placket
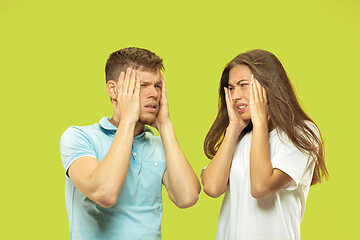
{"points": [[138, 211]]}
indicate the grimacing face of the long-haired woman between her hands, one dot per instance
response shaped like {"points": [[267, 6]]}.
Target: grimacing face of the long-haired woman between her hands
{"points": [[239, 86]]}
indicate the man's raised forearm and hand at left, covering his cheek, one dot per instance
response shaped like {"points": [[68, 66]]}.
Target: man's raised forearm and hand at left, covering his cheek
{"points": [[110, 175]]}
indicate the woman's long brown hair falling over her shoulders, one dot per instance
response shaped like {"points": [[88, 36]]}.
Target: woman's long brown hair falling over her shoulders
{"points": [[284, 109]]}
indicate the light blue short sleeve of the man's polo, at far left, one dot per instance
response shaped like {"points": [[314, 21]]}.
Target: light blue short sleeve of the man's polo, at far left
{"points": [[74, 144]]}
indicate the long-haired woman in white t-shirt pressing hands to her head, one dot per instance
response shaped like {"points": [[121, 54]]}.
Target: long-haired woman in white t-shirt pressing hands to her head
{"points": [[265, 151]]}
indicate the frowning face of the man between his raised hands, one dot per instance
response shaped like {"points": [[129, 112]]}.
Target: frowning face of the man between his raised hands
{"points": [[150, 95]]}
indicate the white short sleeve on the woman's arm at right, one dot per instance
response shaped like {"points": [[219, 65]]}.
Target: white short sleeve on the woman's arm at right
{"points": [[290, 160]]}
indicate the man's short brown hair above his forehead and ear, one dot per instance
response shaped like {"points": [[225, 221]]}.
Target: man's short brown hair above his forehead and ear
{"points": [[137, 58]]}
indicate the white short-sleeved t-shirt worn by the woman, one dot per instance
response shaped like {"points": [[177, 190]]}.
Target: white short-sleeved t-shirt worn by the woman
{"points": [[276, 217]]}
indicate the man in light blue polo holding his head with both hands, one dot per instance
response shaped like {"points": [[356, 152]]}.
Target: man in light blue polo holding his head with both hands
{"points": [[115, 168]]}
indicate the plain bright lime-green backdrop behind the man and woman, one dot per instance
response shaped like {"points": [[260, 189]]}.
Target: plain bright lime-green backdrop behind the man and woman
{"points": [[52, 57]]}
